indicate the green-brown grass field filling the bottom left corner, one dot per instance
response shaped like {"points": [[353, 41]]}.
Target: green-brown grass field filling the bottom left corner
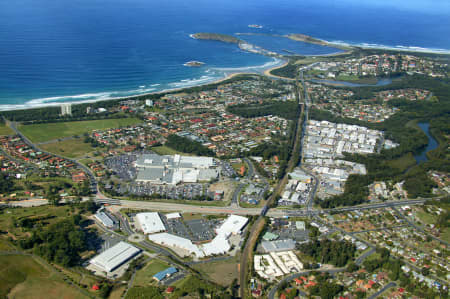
{"points": [[24, 277]]}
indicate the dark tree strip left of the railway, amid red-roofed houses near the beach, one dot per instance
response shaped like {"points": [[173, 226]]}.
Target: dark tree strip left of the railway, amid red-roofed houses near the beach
{"points": [[288, 109]]}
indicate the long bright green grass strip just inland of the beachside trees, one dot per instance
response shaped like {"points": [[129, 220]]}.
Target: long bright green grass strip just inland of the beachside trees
{"points": [[52, 131]]}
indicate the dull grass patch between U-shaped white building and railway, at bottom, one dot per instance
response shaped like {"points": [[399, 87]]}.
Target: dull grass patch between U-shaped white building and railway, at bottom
{"points": [[222, 272]]}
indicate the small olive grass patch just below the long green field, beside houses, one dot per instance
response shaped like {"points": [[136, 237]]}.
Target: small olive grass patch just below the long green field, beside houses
{"points": [[71, 148]]}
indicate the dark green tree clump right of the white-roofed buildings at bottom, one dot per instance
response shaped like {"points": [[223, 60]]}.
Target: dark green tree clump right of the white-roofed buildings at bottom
{"points": [[327, 251]]}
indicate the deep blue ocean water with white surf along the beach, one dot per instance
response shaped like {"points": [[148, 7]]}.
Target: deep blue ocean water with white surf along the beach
{"points": [[78, 50]]}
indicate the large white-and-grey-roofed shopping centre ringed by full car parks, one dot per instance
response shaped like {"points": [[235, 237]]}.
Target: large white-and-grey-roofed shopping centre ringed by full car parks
{"points": [[172, 170]]}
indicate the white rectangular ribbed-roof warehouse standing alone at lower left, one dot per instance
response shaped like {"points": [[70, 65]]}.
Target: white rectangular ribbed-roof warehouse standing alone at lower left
{"points": [[115, 256]]}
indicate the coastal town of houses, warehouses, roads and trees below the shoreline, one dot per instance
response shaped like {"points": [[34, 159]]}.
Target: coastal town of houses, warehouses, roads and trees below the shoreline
{"points": [[254, 186]]}
